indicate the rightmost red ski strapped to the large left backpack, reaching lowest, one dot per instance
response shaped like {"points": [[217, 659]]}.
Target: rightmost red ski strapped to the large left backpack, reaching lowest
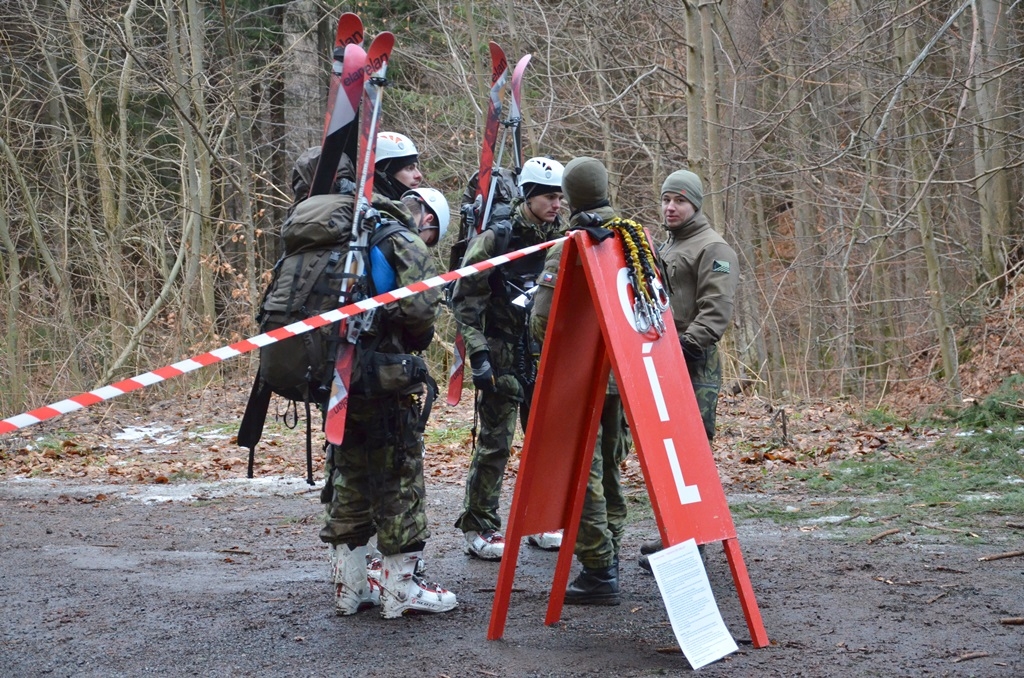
{"points": [[372, 83]]}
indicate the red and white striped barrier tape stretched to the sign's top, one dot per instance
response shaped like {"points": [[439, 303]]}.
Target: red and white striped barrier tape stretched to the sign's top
{"points": [[246, 346]]}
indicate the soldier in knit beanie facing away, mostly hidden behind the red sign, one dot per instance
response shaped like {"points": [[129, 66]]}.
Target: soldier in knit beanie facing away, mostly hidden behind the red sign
{"points": [[604, 519]]}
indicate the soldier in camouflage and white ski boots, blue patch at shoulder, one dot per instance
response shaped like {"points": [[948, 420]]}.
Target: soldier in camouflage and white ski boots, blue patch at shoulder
{"points": [[375, 477]]}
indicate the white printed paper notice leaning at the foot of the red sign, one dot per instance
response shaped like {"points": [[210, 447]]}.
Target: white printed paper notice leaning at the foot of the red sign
{"points": [[693, 611]]}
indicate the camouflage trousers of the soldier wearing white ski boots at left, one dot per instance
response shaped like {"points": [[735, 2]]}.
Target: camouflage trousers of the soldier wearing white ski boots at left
{"points": [[377, 478]]}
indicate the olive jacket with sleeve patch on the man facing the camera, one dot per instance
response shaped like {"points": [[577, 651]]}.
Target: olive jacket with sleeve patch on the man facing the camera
{"points": [[703, 274]]}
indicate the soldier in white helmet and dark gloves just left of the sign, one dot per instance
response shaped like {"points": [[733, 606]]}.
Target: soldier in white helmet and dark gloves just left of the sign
{"points": [[494, 330]]}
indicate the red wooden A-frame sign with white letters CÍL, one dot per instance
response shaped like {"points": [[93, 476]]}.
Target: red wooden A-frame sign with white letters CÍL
{"points": [[592, 330]]}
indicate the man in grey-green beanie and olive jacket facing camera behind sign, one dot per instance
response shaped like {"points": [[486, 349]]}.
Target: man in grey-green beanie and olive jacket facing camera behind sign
{"points": [[703, 273]]}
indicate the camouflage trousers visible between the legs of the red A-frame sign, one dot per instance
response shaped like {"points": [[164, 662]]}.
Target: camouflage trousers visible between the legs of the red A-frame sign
{"points": [[604, 520]]}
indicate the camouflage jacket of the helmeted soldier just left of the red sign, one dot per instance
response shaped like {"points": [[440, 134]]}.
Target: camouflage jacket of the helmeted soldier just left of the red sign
{"points": [[483, 304]]}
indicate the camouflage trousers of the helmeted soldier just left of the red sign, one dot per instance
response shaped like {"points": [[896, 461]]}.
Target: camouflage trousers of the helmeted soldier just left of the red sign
{"points": [[494, 446]]}
